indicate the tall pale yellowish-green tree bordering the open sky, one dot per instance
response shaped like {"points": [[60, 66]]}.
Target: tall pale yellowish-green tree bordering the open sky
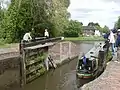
{"points": [[59, 15]]}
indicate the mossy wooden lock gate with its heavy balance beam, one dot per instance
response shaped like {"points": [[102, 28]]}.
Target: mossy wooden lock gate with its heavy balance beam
{"points": [[33, 55]]}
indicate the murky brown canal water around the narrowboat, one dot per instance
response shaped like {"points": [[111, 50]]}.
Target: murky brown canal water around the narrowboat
{"points": [[62, 78]]}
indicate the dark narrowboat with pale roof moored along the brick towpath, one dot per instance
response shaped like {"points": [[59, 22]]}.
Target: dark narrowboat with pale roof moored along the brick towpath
{"points": [[94, 62]]}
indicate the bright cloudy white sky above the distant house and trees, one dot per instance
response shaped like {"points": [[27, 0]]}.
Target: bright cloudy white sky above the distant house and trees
{"points": [[105, 12]]}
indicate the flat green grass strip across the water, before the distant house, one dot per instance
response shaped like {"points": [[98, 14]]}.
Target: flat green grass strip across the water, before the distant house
{"points": [[90, 38]]}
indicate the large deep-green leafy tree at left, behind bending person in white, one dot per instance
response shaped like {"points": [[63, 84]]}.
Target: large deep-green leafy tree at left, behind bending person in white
{"points": [[17, 20]]}
